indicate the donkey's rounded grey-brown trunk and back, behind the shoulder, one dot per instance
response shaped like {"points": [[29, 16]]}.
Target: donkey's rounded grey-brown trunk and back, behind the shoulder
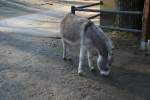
{"points": [[72, 27]]}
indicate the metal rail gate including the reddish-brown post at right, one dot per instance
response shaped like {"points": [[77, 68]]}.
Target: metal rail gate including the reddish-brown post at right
{"points": [[145, 19]]}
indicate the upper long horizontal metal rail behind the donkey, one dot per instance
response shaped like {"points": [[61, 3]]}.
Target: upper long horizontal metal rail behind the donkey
{"points": [[110, 11]]}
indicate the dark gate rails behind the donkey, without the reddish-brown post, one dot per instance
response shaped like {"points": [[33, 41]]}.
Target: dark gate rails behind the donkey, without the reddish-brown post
{"points": [[84, 8]]}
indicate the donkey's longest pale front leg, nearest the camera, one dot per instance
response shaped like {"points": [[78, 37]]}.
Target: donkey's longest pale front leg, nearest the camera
{"points": [[81, 59]]}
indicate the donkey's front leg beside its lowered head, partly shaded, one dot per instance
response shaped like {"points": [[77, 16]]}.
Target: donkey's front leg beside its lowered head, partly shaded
{"points": [[90, 58]]}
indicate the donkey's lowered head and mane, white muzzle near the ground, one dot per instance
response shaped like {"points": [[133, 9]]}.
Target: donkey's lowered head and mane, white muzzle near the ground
{"points": [[105, 58]]}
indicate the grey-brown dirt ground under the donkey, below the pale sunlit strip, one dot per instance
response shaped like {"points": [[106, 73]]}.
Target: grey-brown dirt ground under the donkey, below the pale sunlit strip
{"points": [[32, 68]]}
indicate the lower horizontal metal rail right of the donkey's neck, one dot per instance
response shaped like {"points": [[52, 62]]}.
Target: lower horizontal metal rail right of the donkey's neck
{"points": [[121, 29]]}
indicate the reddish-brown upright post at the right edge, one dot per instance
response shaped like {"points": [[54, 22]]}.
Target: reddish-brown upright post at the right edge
{"points": [[146, 20]]}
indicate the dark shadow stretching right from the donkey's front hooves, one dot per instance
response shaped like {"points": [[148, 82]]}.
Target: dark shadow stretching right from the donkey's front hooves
{"points": [[134, 82]]}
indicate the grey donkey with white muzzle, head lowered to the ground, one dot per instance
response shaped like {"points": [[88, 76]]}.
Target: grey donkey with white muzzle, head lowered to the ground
{"points": [[80, 31]]}
